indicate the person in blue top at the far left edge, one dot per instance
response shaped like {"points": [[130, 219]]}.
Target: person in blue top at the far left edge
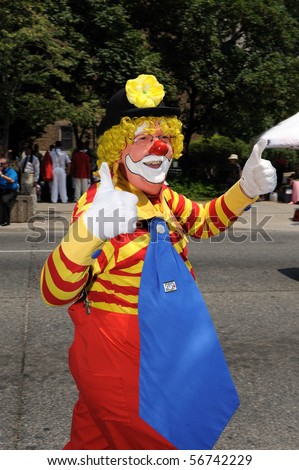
{"points": [[8, 190]]}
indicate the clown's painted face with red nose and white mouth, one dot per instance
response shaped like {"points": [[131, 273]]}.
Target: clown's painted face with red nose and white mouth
{"points": [[146, 161]]}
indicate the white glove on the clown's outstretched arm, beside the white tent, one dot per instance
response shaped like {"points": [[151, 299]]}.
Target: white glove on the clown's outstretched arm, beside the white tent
{"points": [[258, 175]]}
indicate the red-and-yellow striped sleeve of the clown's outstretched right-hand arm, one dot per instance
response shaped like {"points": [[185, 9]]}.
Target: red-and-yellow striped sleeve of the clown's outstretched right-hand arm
{"points": [[209, 219]]}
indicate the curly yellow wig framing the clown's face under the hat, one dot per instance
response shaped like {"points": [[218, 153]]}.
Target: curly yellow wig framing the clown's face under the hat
{"points": [[115, 139]]}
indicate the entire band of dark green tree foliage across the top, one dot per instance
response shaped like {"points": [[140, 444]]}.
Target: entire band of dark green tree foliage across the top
{"points": [[232, 65]]}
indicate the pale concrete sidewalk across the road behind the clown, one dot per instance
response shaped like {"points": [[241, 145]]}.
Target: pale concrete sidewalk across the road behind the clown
{"points": [[57, 216]]}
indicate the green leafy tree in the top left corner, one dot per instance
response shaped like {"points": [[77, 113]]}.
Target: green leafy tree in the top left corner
{"points": [[36, 60]]}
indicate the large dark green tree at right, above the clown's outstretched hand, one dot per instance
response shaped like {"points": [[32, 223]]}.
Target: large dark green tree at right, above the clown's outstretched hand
{"points": [[235, 62]]}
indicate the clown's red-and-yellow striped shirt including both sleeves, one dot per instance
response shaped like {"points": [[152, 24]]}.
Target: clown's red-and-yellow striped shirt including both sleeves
{"points": [[112, 279]]}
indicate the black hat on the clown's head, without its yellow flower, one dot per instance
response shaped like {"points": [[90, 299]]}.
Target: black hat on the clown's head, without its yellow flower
{"points": [[119, 106]]}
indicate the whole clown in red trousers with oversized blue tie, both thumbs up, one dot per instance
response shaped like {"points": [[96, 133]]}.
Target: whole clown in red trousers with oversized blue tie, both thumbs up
{"points": [[145, 357]]}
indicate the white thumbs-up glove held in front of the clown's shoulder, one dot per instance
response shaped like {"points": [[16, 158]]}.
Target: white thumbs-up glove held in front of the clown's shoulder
{"points": [[112, 212]]}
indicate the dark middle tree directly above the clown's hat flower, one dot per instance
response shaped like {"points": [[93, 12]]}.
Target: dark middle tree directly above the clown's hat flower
{"points": [[118, 51]]}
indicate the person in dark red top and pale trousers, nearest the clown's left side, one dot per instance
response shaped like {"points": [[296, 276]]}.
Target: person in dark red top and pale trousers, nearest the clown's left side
{"points": [[80, 171]]}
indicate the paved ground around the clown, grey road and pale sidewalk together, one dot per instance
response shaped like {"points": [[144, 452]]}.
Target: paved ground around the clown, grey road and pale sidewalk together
{"points": [[249, 279]]}
